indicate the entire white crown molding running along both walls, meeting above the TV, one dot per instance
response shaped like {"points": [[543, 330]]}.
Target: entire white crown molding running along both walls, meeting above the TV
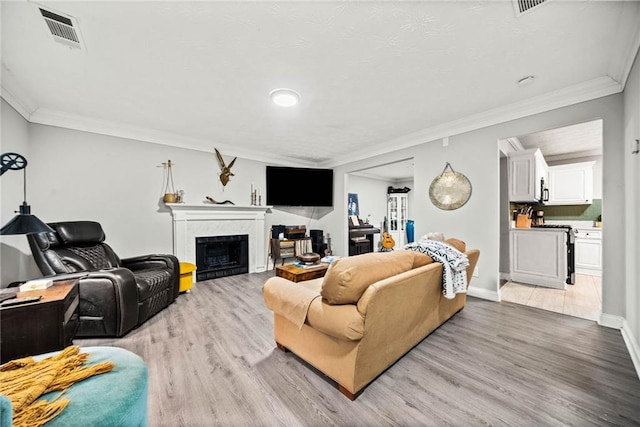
{"points": [[585, 91]]}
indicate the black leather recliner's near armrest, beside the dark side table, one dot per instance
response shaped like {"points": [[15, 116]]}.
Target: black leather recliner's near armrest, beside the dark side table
{"points": [[108, 298]]}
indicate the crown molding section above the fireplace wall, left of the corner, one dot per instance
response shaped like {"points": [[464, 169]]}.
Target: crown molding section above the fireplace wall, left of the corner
{"points": [[62, 119]]}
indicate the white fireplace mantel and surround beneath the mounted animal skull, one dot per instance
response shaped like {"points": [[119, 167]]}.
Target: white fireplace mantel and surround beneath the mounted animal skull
{"points": [[204, 220]]}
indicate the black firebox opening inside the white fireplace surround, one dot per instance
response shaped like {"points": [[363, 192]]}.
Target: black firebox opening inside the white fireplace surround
{"points": [[219, 256]]}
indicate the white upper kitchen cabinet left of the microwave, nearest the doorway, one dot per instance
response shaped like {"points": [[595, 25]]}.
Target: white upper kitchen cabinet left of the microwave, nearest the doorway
{"points": [[527, 169]]}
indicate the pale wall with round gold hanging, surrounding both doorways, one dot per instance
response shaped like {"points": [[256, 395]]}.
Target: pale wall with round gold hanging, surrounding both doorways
{"points": [[475, 154]]}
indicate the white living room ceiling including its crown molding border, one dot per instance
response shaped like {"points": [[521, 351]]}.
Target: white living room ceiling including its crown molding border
{"points": [[373, 76]]}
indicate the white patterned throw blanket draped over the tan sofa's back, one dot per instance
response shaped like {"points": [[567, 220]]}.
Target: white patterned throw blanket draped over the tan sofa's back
{"points": [[454, 264]]}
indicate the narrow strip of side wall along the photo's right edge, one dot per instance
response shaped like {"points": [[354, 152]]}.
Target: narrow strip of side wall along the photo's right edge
{"points": [[632, 253]]}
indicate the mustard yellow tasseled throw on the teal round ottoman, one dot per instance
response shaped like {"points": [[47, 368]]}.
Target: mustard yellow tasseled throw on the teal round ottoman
{"points": [[23, 381]]}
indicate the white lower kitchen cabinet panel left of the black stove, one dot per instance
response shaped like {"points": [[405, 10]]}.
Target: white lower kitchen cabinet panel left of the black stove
{"points": [[539, 257]]}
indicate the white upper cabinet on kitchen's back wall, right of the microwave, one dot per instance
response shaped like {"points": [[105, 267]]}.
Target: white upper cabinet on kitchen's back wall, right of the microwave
{"points": [[571, 184]]}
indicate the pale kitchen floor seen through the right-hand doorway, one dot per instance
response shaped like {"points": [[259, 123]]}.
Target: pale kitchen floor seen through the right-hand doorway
{"points": [[583, 299]]}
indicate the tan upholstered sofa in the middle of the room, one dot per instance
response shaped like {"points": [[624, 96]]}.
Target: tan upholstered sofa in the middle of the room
{"points": [[365, 314]]}
